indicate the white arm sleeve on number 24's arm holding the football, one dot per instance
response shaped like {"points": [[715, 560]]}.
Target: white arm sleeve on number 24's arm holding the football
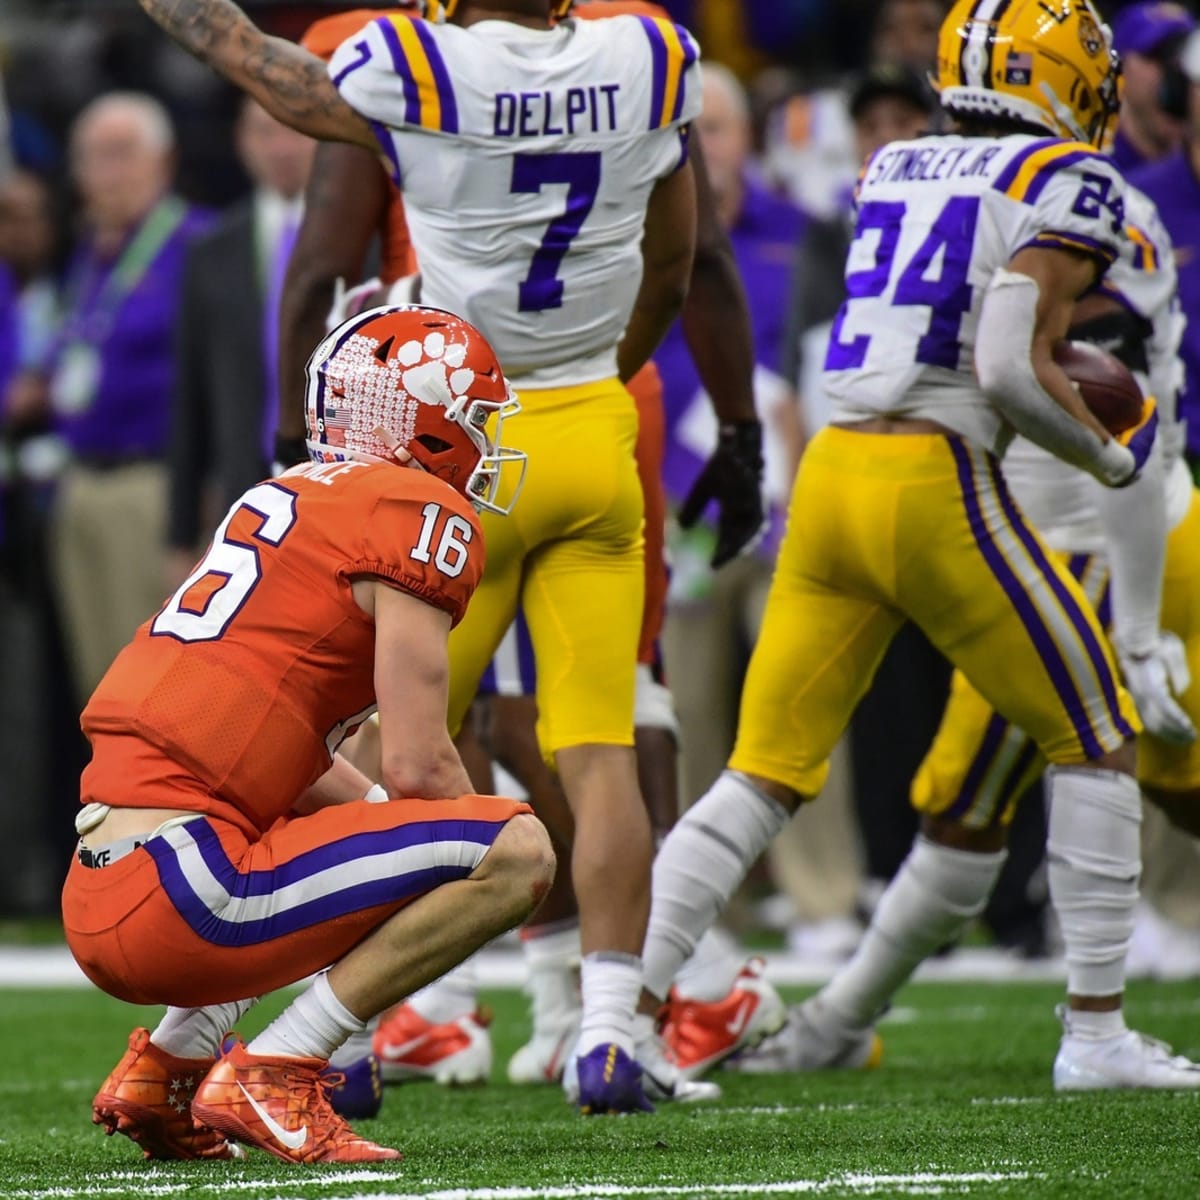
{"points": [[1006, 374]]}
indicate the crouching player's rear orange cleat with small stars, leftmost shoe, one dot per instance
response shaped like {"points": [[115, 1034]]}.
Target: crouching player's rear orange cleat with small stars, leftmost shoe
{"points": [[148, 1097]]}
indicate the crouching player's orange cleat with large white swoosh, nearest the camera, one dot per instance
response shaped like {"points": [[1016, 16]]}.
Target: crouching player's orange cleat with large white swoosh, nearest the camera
{"points": [[281, 1106]]}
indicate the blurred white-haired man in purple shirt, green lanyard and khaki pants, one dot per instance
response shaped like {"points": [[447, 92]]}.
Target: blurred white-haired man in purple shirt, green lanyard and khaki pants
{"points": [[111, 377]]}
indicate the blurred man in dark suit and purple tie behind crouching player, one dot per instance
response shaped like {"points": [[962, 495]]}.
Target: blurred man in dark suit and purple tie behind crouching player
{"points": [[227, 338]]}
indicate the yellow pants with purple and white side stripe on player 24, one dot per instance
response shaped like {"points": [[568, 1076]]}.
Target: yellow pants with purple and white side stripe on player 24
{"points": [[883, 529]]}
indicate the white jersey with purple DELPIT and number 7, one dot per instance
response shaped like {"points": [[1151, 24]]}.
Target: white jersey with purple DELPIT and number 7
{"points": [[527, 159]]}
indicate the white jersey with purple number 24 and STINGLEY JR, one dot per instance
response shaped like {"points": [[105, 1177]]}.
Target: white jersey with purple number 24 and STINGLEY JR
{"points": [[937, 219]]}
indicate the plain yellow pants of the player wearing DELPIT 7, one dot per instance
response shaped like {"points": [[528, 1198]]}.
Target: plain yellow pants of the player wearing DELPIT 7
{"points": [[571, 555]]}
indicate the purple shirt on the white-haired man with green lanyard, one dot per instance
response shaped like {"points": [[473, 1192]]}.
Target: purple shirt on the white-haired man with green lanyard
{"points": [[133, 339]]}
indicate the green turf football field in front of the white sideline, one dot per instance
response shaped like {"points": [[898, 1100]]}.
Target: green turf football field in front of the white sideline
{"points": [[962, 1107]]}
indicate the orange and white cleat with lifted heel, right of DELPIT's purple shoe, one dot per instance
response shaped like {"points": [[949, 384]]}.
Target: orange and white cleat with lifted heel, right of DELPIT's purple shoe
{"points": [[699, 1035]]}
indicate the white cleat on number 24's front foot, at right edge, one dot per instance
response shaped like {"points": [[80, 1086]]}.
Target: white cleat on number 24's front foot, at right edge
{"points": [[1130, 1060]]}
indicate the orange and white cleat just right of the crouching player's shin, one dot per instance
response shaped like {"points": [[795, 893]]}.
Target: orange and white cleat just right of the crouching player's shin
{"points": [[409, 1047]]}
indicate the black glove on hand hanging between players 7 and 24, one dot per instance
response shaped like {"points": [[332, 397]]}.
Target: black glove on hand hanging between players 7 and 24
{"points": [[734, 478]]}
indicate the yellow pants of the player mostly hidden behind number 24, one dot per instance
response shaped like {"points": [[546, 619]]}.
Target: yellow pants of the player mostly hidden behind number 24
{"points": [[980, 765]]}
